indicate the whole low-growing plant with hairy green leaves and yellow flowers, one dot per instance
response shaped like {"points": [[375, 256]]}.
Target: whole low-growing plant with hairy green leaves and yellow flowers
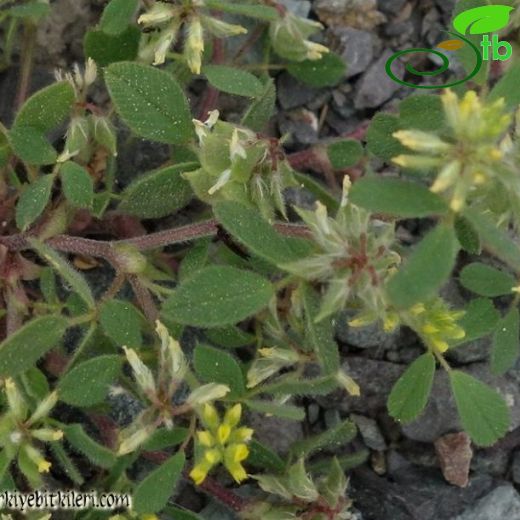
{"points": [[262, 283]]}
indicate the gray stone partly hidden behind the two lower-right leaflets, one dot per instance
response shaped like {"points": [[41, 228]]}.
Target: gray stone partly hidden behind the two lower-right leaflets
{"points": [[440, 415]]}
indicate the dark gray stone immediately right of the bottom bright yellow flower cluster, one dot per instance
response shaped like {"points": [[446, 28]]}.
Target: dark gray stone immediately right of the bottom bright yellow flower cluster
{"points": [[279, 434]]}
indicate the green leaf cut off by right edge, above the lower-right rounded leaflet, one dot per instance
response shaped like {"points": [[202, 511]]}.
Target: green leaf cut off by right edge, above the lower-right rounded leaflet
{"points": [[506, 343]]}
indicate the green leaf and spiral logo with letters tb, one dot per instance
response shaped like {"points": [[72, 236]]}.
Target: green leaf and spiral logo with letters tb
{"points": [[480, 20]]}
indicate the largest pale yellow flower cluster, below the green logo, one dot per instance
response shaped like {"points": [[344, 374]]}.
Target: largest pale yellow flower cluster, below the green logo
{"points": [[470, 158]]}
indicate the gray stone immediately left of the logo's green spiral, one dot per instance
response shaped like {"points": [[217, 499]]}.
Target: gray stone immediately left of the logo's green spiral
{"points": [[376, 87]]}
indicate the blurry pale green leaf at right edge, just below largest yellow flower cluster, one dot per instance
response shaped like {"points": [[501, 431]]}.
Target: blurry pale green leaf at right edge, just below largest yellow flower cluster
{"points": [[495, 240]]}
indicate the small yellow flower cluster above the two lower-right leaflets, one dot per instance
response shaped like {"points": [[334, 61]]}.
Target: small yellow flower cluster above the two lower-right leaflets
{"points": [[436, 324]]}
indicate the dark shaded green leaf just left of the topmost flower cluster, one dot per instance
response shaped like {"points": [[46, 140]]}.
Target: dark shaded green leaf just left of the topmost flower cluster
{"points": [[105, 49]]}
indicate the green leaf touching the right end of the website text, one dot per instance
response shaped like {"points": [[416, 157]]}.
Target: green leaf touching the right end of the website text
{"points": [[153, 492]]}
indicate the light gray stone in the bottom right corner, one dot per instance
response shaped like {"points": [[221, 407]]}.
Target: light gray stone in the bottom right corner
{"points": [[503, 502]]}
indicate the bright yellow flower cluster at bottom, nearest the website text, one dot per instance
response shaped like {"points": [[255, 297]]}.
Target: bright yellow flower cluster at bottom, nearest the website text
{"points": [[222, 442]]}
